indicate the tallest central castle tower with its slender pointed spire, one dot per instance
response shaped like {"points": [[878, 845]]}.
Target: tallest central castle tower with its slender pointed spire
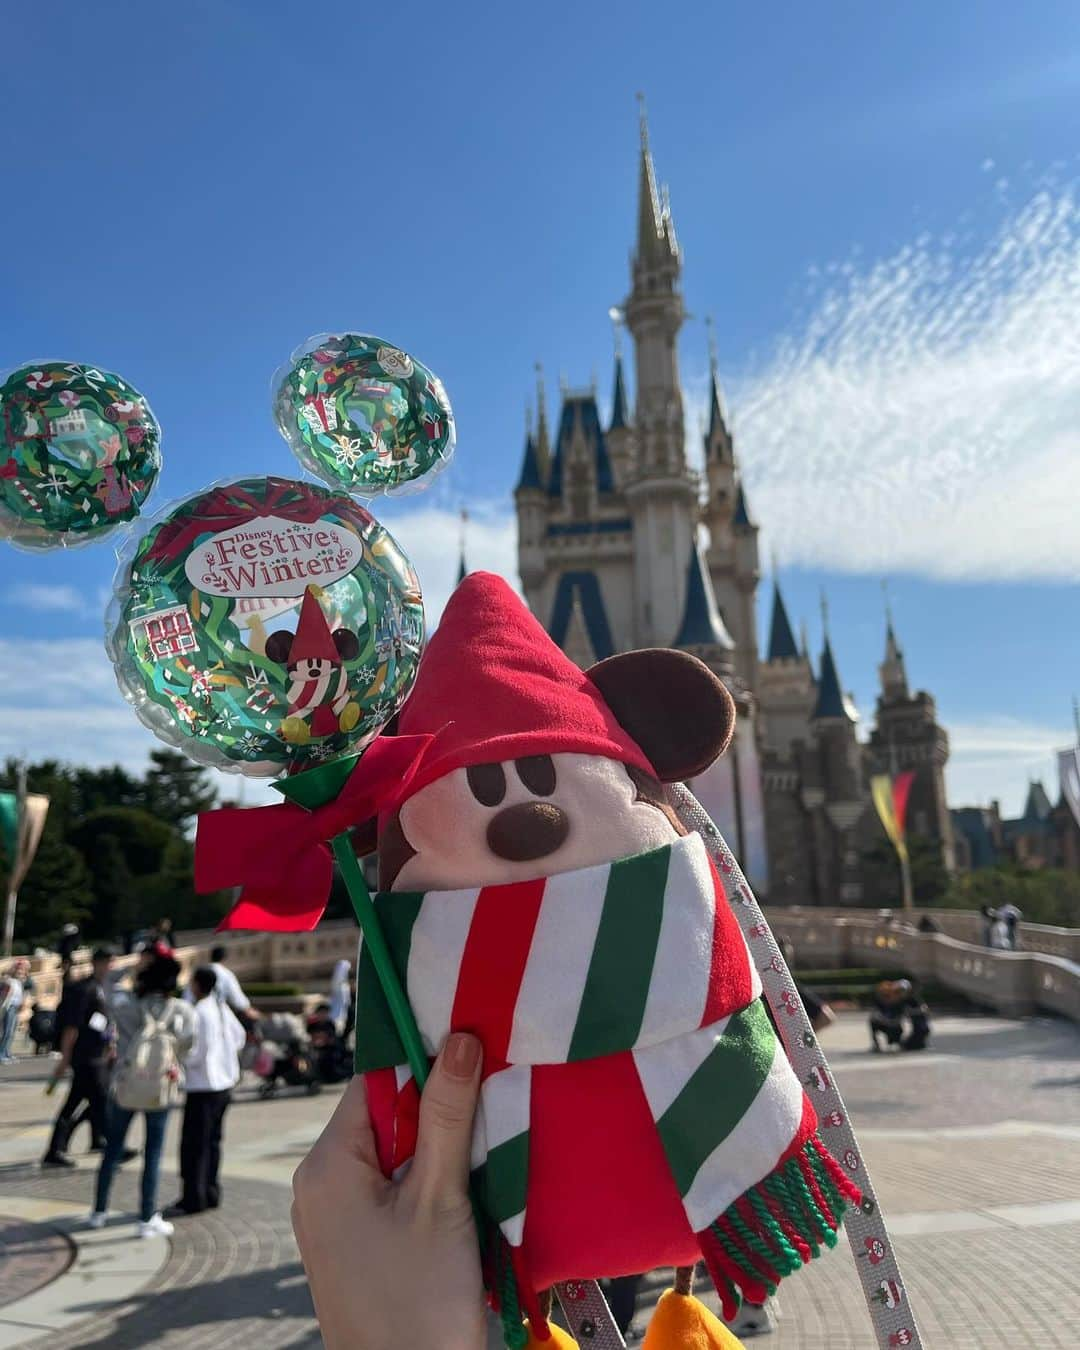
{"points": [[662, 492]]}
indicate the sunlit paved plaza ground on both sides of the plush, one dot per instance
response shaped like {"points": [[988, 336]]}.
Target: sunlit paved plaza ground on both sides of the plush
{"points": [[974, 1147]]}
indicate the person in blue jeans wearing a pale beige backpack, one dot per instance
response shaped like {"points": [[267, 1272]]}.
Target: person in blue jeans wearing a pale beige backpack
{"points": [[156, 1035]]}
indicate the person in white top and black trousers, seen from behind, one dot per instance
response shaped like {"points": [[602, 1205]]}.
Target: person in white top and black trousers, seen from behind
{"points": [[214, 1071]]}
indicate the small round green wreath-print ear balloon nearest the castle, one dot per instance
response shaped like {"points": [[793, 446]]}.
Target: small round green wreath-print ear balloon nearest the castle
{"points": [[364, 415]]}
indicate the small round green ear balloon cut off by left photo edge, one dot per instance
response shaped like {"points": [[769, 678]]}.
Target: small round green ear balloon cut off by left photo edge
{"points": [[80, 452]]}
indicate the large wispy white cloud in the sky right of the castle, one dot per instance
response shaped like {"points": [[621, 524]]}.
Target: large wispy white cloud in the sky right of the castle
{"points": [[924, 415]]}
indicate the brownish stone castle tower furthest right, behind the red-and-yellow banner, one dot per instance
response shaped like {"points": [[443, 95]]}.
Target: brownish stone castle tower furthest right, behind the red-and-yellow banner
{"points": [[908, 736]]}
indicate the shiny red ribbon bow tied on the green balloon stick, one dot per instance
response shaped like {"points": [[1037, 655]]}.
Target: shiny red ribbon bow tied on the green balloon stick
{"points": [[280, 855]]}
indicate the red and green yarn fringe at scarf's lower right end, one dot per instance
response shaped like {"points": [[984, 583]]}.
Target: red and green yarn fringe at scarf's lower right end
{"points": [[778, 1226]]}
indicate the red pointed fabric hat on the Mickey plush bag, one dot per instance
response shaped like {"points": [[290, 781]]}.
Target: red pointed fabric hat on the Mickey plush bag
{"points": [[493, 688]]}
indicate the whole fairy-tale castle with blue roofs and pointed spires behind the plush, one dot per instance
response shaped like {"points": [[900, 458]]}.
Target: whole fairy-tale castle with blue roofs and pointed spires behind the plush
{"points": [[611, 558]]}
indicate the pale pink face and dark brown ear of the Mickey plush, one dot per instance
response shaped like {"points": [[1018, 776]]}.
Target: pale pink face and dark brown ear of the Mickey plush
{"points": [[500, 823]]}
